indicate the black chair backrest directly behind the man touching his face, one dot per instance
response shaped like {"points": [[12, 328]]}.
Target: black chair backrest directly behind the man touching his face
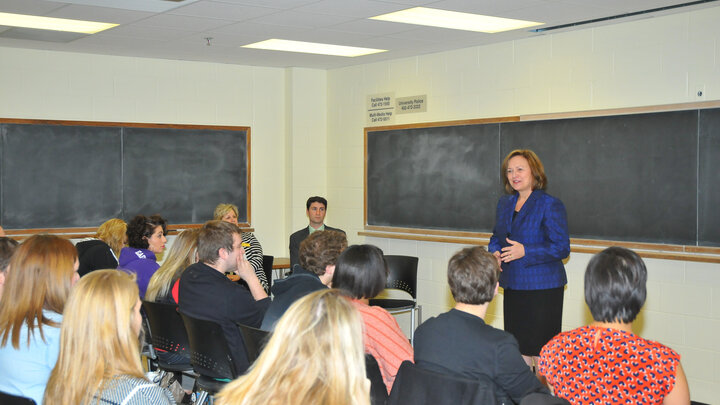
{"points": [[209, 352]]}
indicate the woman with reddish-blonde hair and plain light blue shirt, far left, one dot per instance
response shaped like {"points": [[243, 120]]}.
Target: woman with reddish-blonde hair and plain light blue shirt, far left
{"points": [[41, 274]]}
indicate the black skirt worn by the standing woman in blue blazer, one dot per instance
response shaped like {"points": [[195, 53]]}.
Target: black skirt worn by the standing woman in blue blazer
{"points": [[533, 317]]}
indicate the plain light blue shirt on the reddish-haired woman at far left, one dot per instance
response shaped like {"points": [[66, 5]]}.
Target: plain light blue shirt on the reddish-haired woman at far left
{"points": [[25, 371]]}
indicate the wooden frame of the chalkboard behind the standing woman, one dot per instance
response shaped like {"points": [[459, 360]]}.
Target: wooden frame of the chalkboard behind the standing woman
{"points": [[452, 236]]}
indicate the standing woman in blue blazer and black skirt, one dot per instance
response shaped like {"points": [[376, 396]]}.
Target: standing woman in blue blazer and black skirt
{"points": [[530, 240]]}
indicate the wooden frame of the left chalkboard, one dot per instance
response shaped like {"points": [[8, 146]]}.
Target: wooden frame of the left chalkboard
{"points": [[76, 231]]}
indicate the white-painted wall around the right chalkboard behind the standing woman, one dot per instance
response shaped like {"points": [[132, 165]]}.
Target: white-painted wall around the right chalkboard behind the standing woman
{"points": [[648, 62]]}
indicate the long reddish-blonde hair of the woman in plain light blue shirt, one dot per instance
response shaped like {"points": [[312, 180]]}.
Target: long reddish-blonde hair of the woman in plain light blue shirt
{"points": [[40, 276]]}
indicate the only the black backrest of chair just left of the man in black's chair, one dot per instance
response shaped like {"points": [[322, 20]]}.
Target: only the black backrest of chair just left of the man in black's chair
{"points": [[167, 330]]}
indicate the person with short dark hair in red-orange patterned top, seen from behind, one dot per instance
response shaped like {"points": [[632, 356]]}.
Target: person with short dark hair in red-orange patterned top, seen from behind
{"points": [[605, 362]]}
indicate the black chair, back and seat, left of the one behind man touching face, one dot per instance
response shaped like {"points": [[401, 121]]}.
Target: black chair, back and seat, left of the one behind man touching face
{"points": [[168, 335]]}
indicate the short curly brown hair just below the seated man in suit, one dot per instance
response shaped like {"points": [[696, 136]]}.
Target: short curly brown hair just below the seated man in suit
{"points": [[321, 249]]}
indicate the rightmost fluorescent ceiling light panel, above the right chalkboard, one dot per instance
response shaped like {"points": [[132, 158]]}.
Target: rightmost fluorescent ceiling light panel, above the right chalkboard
{"points": [[455, 20]]}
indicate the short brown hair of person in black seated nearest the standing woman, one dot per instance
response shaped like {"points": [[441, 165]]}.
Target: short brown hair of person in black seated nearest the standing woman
{"points": [[473, 274]]}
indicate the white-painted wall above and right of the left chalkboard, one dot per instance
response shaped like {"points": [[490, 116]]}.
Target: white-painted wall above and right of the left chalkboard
{"points": [[71, 86]]}
